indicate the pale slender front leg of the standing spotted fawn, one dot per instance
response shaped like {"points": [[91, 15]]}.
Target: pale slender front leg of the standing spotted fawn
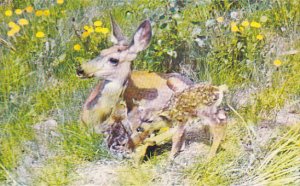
{"points": [[178, 140]]}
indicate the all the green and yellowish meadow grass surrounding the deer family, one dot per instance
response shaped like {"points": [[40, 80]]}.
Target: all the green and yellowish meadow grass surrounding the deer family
{"points": [[38, 82]]}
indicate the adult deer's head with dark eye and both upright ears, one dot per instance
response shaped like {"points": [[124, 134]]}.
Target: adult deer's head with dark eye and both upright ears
{"points": [[114, 63]]}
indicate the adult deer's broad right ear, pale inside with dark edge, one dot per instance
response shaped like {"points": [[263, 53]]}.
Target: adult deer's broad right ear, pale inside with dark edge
{"points": [[142, 37]]}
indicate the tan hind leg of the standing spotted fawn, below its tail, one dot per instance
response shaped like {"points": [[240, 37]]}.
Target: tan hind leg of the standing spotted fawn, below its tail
{"points": [[218, 133]]}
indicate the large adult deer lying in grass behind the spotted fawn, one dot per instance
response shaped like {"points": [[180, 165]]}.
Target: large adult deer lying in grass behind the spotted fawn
{"points": [[113, 66]]}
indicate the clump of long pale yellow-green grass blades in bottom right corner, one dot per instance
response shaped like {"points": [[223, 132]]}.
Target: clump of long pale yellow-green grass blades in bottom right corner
{"points": [[280, 164]]}
